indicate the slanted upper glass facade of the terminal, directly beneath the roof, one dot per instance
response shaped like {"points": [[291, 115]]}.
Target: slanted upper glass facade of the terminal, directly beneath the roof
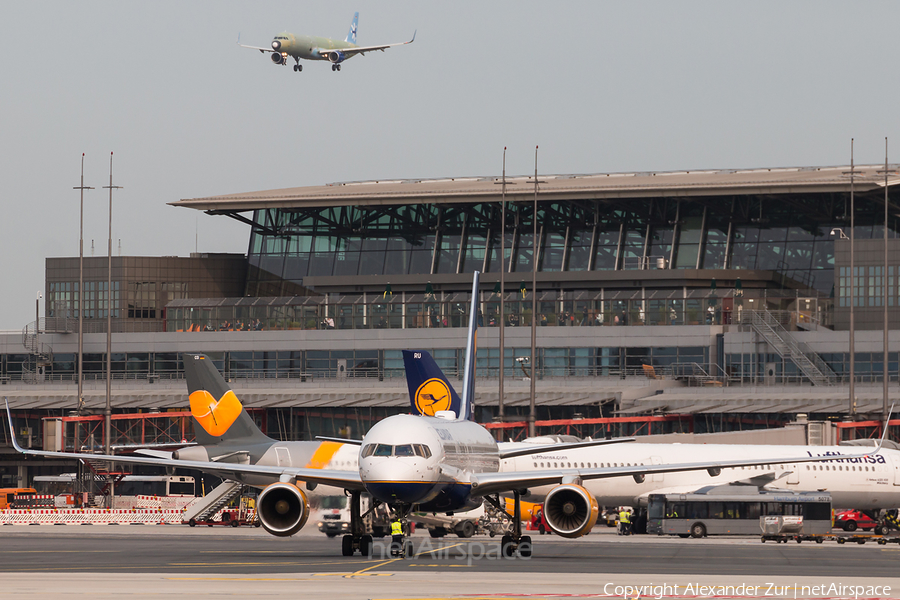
{"points": [[789, 234]]}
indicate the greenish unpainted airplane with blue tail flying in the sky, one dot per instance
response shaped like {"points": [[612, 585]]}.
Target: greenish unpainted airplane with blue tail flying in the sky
{"points": [[318, 48]]}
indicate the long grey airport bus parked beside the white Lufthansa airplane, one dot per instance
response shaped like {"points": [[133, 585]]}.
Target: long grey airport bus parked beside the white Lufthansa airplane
{"points": [[699, 515]]}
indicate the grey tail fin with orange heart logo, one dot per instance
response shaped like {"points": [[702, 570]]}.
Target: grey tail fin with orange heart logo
{"points": [[218, 414]]}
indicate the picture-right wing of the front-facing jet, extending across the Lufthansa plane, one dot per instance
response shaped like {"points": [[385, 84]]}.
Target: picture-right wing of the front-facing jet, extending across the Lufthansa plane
{"points": [[492, 483]]}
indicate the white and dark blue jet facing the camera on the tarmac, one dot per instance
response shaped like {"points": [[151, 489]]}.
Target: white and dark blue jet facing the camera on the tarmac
{"points": [[444, 462]]}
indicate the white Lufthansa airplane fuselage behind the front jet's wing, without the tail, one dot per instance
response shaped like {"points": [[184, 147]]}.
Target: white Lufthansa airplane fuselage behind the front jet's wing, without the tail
{"points": [[862, 483]]}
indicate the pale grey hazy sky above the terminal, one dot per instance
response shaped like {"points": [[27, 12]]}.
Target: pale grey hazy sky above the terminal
{"points": [[600, 86]]}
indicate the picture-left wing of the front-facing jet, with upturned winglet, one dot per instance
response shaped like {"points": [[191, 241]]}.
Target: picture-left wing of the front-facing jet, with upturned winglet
{"points": [[349, 480]]}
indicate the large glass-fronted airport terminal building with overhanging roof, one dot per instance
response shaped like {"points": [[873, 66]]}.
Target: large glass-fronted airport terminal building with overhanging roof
{"points": [[720, 297]]}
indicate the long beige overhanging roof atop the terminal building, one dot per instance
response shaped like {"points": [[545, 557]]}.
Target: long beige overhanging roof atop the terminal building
{"points": [[555, 187]]}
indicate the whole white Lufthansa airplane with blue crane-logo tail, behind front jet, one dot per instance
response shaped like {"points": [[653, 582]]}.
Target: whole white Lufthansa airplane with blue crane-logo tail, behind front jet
{"points": [[870, 482]]}
